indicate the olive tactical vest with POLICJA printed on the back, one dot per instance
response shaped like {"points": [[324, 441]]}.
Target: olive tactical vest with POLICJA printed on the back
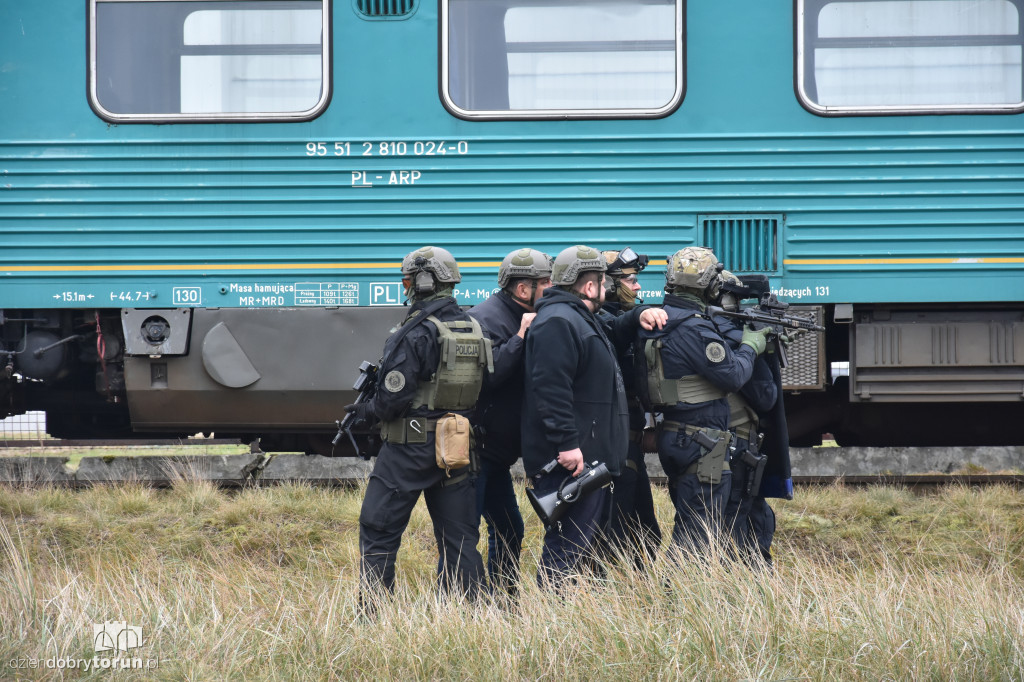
{"points": [[465, 354]]}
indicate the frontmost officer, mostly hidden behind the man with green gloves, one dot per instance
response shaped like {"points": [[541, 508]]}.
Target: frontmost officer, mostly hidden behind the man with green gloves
{"points": [[747, 409]]}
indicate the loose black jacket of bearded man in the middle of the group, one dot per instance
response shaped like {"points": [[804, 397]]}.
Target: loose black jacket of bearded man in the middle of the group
{"points": [[575, 396]]}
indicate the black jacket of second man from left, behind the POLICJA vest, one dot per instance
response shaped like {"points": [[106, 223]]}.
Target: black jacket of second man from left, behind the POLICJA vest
{"points": [[499, 410]]}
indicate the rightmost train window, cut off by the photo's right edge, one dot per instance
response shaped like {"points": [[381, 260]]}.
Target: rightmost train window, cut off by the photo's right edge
{"points": [[885, 57]]}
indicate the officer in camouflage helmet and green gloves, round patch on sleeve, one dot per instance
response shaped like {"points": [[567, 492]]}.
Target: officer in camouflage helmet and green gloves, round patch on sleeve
{"points": [[690, 371]]}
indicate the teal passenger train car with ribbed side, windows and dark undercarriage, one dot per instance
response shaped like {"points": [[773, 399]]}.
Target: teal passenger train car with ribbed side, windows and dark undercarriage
{"points": [[204, 203]]}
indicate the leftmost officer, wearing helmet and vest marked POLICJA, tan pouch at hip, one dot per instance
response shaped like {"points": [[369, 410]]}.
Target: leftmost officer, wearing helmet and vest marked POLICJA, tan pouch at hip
{"points": [[420, 393]]}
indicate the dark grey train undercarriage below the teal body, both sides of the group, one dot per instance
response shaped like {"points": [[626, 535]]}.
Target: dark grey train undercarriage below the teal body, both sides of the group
{"points": [[882, 375]]}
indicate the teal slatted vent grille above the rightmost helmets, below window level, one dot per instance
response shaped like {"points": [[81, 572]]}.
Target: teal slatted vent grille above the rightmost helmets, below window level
{"points": [[745, 243]]}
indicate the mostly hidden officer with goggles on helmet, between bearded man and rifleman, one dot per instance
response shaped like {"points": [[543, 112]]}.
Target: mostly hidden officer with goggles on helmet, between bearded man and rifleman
{"points": [[633, 529]]}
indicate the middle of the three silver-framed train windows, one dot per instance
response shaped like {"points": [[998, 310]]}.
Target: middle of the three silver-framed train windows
{"points": [[562, 59]]}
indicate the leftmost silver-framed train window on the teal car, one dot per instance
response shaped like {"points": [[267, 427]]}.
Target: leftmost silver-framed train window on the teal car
{"points": [[194, 61]]}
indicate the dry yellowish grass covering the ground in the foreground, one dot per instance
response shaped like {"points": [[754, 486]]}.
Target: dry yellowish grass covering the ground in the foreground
{"points": [[262, 584]]}
